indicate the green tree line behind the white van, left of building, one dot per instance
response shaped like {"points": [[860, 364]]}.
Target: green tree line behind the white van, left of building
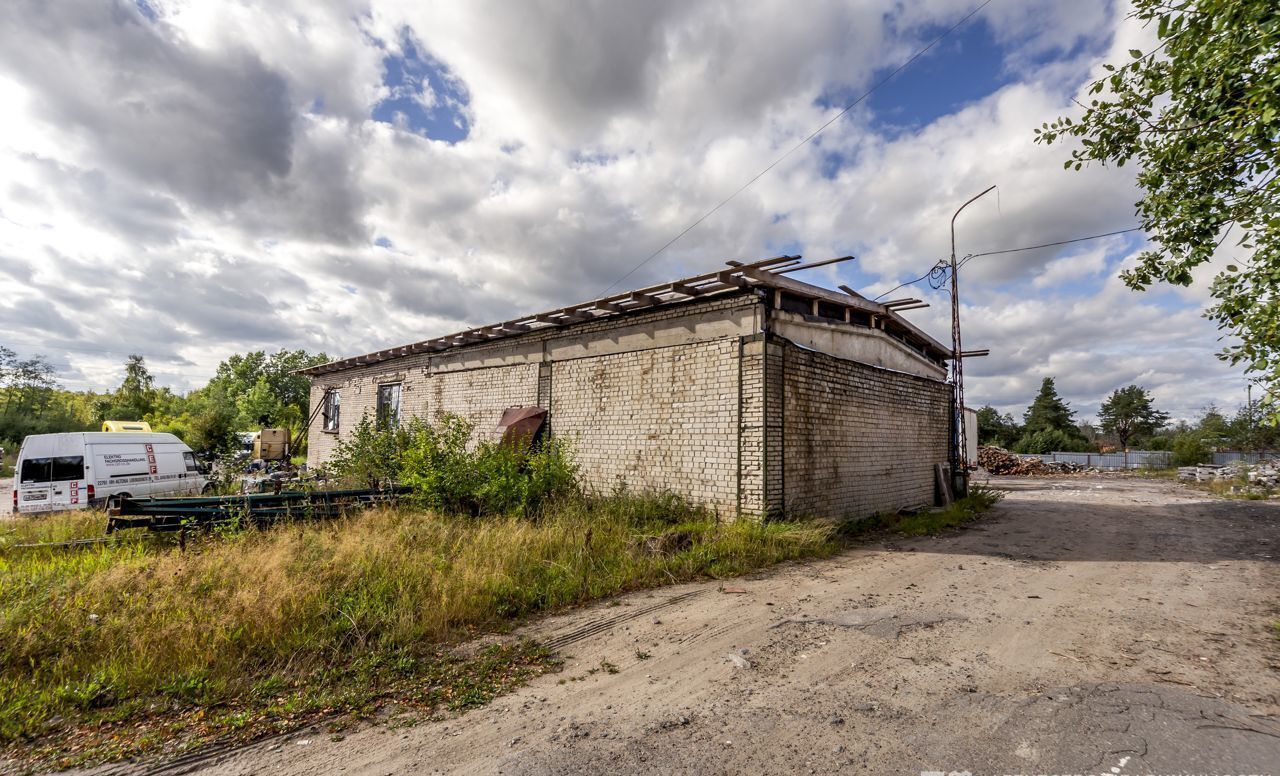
{"points": [[248, 392]]}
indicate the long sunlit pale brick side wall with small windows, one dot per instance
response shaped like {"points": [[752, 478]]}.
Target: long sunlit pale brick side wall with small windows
{"points": [[650, 400]]}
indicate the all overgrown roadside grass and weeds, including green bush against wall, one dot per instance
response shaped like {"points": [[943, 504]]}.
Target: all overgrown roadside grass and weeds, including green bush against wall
{"points": [[118, 650]]}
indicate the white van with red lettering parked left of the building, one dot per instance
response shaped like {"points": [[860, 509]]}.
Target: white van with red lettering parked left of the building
{"points": [[71, 472]]}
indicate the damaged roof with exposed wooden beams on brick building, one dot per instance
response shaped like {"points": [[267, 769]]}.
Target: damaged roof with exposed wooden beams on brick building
{"points": [[767, 275]]}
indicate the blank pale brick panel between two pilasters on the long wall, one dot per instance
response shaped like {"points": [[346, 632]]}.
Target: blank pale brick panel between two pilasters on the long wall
{"points": [[660, 419]]}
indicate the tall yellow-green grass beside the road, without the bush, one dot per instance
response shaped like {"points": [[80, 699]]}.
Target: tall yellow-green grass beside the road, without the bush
{"points": [[312, 611]]}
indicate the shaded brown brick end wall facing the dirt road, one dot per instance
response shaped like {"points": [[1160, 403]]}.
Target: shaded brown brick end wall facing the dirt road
{"points": [[857, 440]]}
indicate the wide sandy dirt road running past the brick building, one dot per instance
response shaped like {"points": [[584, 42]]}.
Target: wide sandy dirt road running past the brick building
{"points": [[1089, 626]]}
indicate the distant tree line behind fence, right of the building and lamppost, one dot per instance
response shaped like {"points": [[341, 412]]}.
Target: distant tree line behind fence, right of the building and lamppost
{"points": [[1127, 421]]}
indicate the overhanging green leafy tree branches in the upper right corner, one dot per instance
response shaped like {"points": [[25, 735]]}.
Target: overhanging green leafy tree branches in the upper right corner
{"points": [[1215, 89]]}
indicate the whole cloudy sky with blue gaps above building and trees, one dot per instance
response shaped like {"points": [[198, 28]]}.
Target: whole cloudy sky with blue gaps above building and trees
{"points": [[189, 179]]}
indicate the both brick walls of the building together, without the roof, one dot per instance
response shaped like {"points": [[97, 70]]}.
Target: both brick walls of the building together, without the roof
{"points": [[689, 399]]}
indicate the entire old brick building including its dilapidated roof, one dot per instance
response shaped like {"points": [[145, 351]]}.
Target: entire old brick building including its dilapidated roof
{"points": [[743, 390]]}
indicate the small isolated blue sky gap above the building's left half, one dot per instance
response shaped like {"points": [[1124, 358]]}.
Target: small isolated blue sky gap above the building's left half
{"points": [[426, 98]]}
